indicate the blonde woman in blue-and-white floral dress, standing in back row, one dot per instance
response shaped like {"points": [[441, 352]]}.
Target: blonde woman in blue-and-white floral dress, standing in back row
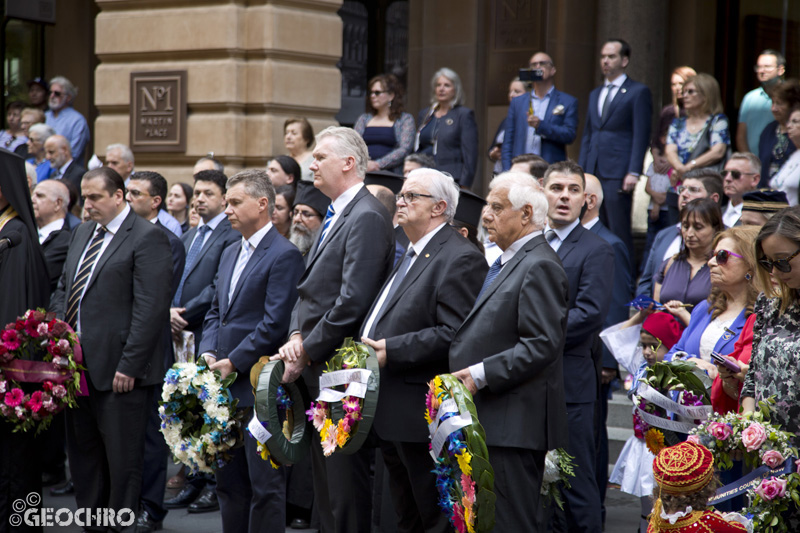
{"points": [[700, 139]]}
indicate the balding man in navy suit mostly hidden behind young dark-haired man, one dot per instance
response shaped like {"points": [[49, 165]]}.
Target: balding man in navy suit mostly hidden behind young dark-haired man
{"points": [[617, 312]]}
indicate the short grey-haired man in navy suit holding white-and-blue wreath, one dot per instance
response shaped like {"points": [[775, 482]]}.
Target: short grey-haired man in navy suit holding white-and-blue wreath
{"points": [[249, 317]]}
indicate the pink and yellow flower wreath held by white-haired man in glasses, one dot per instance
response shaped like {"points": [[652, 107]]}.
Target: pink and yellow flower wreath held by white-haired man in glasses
{"points": [[344, 418]]}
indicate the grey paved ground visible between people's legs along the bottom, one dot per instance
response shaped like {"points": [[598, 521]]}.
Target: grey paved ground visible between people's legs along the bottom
{"points": [[622, 516]]}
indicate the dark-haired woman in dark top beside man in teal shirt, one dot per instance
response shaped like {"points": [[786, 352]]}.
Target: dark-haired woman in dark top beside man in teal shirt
{"points": [[774, 146]]}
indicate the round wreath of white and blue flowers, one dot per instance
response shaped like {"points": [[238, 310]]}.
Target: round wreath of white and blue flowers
{"points": [[198, 416]]}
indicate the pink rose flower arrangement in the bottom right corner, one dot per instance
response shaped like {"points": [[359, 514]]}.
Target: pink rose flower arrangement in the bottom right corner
{"points": [[774, 486]]}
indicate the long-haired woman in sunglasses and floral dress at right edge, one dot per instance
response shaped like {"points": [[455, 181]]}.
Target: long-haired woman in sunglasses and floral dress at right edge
{"points": [[776, 332]]}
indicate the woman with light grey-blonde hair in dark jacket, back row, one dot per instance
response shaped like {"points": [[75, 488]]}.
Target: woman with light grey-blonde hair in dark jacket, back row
{"points": [[447, 130]]}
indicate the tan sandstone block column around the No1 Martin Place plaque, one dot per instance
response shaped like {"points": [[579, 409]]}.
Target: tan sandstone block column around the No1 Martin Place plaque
{"points": [[249, 67]]}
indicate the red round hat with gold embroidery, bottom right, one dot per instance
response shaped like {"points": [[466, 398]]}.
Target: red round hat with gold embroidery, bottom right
{"points": [[683, 468]]}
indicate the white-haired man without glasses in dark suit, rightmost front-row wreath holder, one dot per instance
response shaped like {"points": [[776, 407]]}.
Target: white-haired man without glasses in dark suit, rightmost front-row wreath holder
{"points": [[508, 352]]}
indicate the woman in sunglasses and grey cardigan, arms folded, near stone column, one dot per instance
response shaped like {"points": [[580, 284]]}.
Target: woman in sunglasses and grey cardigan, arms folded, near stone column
{"points": [[387, 130]]}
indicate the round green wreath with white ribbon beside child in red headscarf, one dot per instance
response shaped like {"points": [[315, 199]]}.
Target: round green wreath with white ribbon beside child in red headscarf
{"points": [[677, 387]]}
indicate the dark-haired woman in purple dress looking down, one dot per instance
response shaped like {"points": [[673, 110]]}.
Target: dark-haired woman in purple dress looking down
{"points": [[684, 278]]}
